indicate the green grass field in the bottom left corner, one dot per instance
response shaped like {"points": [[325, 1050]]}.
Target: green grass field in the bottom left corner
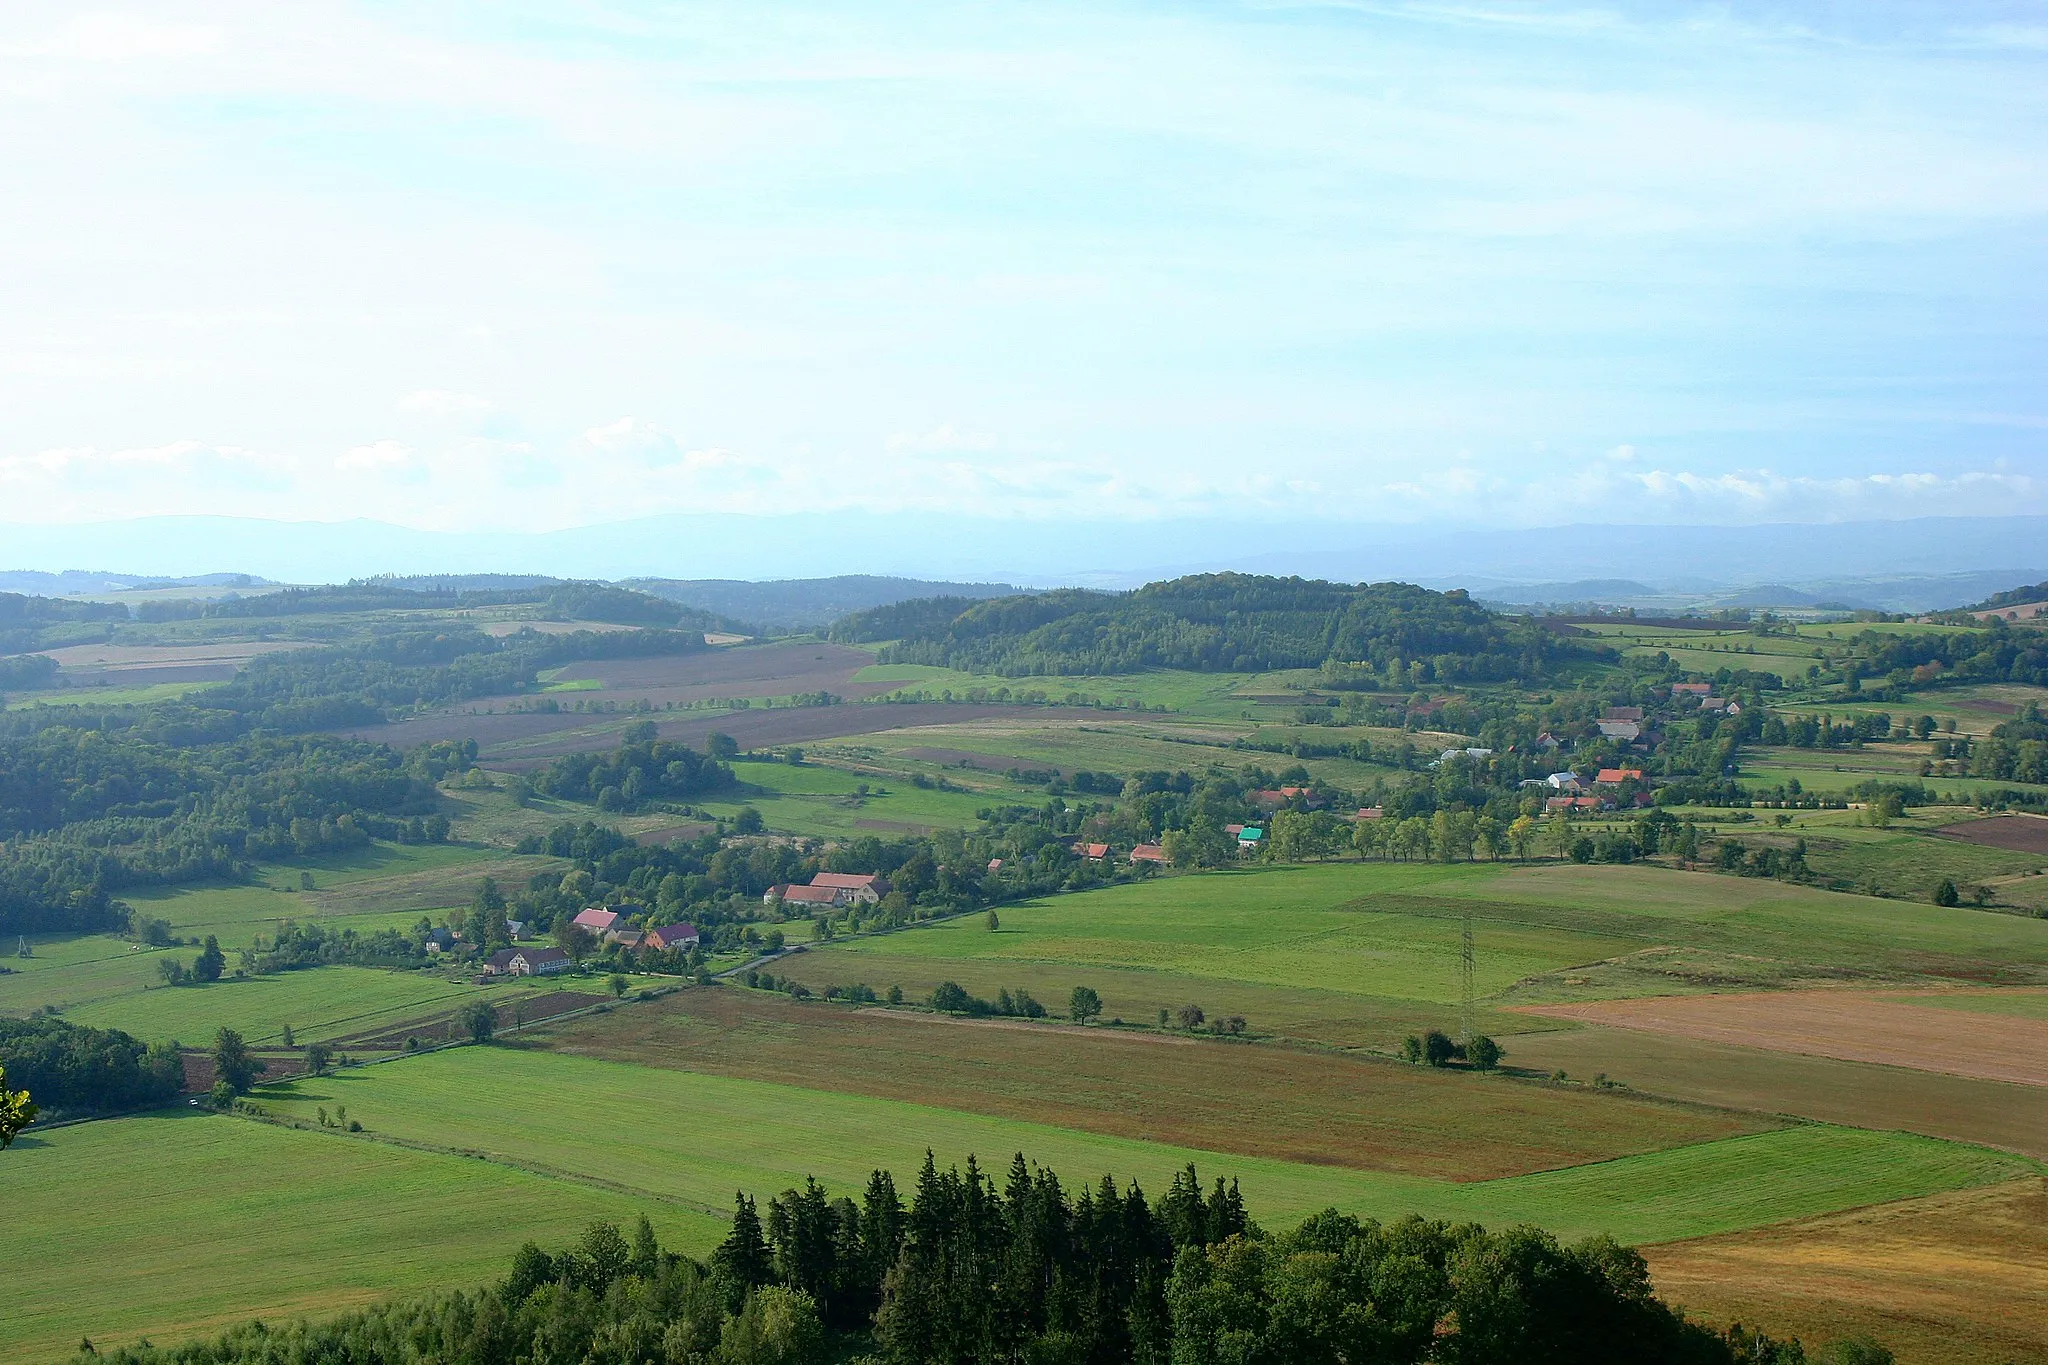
{"points": [[224, 1219]]}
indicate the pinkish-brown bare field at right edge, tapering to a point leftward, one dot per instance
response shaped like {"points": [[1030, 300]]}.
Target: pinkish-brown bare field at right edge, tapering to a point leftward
{"points": [[1852, 1026]]}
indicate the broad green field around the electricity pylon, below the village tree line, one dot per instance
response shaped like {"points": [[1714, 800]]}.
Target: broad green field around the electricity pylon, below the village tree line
{"points": [[1340, 953]]}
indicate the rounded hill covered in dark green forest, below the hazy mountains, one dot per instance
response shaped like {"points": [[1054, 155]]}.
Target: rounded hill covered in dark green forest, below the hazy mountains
{"points": [[1220, 623]]}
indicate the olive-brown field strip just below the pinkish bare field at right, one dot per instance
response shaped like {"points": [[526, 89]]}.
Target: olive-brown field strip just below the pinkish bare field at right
{"points": [[1811, 1088]]}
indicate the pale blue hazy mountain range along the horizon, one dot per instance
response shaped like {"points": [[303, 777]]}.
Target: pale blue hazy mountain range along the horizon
{"points": [[1906, 566]]}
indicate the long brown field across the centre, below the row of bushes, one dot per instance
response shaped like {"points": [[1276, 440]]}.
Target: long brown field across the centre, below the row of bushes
{"points": [[1232, 1098]]}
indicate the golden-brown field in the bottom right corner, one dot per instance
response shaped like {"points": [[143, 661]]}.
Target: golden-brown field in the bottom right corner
{"points": [[1949, 1280]]}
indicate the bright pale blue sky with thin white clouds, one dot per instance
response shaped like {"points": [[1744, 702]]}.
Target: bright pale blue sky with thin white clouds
{"points": [[529, 267]]}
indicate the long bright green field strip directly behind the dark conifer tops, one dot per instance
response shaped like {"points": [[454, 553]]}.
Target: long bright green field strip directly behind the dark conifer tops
{"points": [[673, 1135]]}
